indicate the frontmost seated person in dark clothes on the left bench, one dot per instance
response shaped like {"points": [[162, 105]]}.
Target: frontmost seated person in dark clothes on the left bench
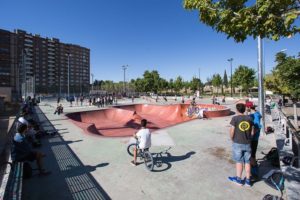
{"points": [[22, 150]]}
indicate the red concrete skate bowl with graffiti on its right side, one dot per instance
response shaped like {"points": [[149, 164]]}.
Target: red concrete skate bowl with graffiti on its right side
{"points": [[121, 121]]}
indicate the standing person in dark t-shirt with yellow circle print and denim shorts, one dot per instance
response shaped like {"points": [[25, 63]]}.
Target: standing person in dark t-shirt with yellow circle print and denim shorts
{"points": [[241, 132]]}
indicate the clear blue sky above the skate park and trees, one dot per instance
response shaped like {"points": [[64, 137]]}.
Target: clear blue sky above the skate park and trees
{"points": [[143, 34]]}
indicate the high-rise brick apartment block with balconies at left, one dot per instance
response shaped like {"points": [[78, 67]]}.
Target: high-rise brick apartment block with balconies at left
{"points": [[31, 64]]}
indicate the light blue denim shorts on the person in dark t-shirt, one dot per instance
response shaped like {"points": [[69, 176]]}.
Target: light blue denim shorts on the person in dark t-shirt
{"points": [[241, 153]]}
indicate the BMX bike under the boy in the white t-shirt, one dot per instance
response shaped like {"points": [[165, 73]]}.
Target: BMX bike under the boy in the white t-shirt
{"points": [[143, 154]]}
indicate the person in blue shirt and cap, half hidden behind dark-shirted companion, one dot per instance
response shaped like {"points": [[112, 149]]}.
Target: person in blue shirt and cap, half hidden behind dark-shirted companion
{"points": [[256, 118]]}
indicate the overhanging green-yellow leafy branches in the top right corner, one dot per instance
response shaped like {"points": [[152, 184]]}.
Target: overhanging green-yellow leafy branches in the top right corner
{"points": [[241, 18]]}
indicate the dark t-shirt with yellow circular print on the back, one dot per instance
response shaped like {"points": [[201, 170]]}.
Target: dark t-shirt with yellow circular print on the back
{"points": [[242, 129]]}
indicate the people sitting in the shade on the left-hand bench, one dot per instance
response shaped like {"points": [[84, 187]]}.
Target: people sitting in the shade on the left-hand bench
{"points": [[27, 137]]}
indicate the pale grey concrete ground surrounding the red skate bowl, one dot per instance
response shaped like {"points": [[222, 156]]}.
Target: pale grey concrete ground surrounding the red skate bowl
{"points": [[91, 167]]}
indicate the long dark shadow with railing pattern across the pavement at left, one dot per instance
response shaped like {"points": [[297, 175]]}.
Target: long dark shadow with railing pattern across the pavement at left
{"points": [[70, 178]]}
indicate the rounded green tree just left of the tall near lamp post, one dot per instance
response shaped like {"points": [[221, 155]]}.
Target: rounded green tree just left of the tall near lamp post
{"points": [[244, 77]]}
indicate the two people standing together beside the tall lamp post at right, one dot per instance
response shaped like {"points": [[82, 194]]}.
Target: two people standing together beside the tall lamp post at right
{"points": [[244, 133]]}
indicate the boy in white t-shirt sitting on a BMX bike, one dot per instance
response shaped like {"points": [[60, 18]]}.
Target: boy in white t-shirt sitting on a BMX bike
{"points": [[144, 138]]}
